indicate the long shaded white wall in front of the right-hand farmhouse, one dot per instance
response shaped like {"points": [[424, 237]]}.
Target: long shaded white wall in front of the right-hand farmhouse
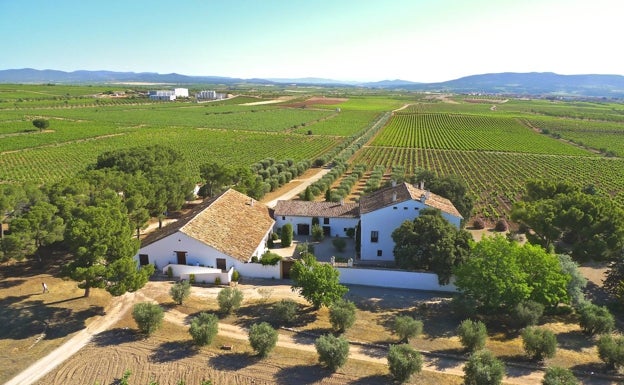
{"points": [[393, 278]]}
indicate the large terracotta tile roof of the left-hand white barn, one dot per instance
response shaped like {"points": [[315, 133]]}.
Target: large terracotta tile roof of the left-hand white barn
{"points": [[228, 223]]}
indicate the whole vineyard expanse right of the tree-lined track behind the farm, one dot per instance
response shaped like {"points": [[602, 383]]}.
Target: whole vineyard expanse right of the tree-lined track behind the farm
{"points": [[495, 150]]}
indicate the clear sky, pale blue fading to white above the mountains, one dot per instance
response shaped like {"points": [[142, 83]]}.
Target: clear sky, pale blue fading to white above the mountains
{"points": [[356, 40]]}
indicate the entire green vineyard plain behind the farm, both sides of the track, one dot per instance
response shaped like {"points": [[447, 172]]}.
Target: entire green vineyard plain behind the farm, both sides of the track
{"points": [[494, 144]]}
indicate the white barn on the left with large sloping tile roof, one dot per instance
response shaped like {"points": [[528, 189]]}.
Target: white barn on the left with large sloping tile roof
{"points": [[222, 234]]}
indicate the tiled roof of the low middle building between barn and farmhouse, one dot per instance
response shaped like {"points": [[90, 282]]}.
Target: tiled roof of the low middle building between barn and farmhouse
{"points": [[316, 209]]}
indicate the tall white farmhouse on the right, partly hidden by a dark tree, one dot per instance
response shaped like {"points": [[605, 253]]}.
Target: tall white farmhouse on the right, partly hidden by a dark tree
{"points": [[382, 211]]}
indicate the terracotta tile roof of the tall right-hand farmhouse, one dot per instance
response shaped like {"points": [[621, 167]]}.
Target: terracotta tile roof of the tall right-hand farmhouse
{"points": [[404, 192]]}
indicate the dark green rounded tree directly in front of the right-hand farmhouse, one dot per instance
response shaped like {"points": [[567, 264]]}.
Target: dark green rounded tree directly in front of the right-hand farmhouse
{"points": [[430, 242]]}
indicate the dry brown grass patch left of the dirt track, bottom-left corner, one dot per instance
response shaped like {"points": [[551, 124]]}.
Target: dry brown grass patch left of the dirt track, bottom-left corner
{"points": [[34, 323]]}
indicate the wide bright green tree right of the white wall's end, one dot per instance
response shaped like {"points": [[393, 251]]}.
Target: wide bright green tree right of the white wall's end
{"points": [[501, 274]]}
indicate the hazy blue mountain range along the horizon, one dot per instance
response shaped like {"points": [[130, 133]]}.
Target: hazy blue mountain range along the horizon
{"points": [[509, 83]]}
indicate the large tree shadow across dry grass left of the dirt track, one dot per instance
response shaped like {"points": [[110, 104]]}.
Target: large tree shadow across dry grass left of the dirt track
{"points": [[36, 317]]}
